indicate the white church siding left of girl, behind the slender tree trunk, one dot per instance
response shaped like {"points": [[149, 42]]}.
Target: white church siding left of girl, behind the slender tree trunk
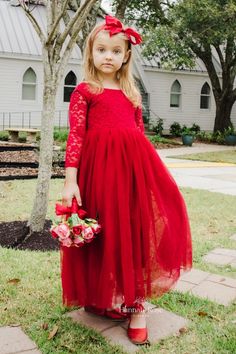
{"points": [[11, 103]]}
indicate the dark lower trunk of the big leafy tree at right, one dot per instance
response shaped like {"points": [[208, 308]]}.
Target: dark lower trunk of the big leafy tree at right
{"points": [[223, 113]]}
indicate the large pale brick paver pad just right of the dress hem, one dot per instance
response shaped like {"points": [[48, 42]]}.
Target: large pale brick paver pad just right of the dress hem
{"points": [[214, 287]]}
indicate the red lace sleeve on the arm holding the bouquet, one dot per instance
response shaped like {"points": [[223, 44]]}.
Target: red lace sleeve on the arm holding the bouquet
{"points": [[77, 120]]}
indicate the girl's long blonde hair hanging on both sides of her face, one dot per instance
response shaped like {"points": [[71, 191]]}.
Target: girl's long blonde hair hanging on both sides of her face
{"points": [[124, 74]]}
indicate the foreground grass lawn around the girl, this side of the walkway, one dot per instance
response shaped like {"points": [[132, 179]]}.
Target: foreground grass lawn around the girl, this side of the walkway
{"points": [[34, 301]]}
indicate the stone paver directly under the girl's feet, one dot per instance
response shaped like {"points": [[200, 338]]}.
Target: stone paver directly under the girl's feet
{"points": [[160, 323]]}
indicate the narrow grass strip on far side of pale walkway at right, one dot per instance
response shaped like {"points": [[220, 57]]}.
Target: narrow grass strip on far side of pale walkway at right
{"points": [[227, 156]]}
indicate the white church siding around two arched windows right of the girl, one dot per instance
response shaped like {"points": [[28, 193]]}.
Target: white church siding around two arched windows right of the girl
{"points": [[189, 111]]}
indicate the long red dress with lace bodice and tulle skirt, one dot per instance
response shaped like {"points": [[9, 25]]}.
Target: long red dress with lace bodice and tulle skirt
{"points": [[145, 239]]}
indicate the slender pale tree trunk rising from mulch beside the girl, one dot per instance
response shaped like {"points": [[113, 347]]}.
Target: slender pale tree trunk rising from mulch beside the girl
{"points": [[38, 214]]}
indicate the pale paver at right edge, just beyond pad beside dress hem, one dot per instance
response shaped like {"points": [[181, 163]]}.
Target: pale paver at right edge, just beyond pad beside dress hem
{"points": [[221, 256]]}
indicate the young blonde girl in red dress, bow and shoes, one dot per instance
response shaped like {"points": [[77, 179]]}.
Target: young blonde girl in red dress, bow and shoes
{"points": [[113, 169]]}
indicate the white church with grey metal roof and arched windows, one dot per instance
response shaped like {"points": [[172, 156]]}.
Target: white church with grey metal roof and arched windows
{"points": [[184, 96]]}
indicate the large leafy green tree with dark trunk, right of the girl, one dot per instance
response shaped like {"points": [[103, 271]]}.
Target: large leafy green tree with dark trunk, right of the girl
{"points": [[178, 32]]}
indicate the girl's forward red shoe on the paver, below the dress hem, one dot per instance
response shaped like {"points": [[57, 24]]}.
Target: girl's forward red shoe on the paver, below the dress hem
{"points": [[137, 335]]}
